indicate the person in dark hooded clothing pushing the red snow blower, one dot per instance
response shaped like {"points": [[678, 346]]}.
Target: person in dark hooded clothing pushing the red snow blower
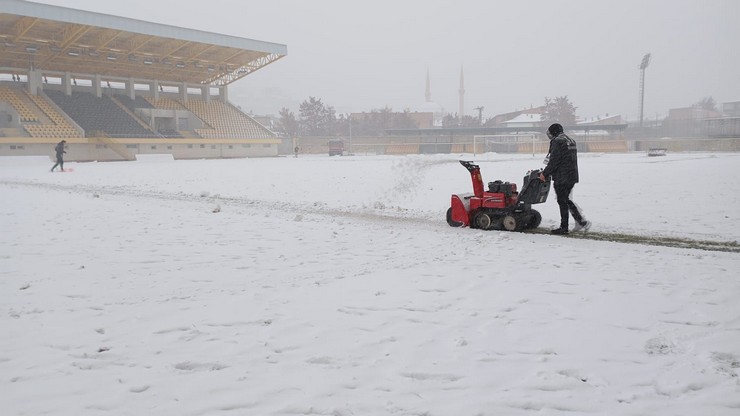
{"points": [[562, 165]]}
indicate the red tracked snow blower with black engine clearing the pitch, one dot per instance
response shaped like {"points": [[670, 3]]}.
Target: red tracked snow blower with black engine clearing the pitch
{"points": [[501, 207]]}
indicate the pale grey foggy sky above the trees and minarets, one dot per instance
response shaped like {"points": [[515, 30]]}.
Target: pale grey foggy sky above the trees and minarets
{"points": [[359, 56]]}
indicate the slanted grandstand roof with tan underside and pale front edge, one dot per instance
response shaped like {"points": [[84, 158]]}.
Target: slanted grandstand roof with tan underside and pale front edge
{"points": [[53, 38]]}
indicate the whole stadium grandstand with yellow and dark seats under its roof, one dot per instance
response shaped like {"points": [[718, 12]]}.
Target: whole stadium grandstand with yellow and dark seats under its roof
{"points": [[116, 87]]}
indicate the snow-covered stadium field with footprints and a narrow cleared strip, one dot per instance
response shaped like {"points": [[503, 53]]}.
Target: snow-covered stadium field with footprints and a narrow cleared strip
{"points": [[333, 286]]}
